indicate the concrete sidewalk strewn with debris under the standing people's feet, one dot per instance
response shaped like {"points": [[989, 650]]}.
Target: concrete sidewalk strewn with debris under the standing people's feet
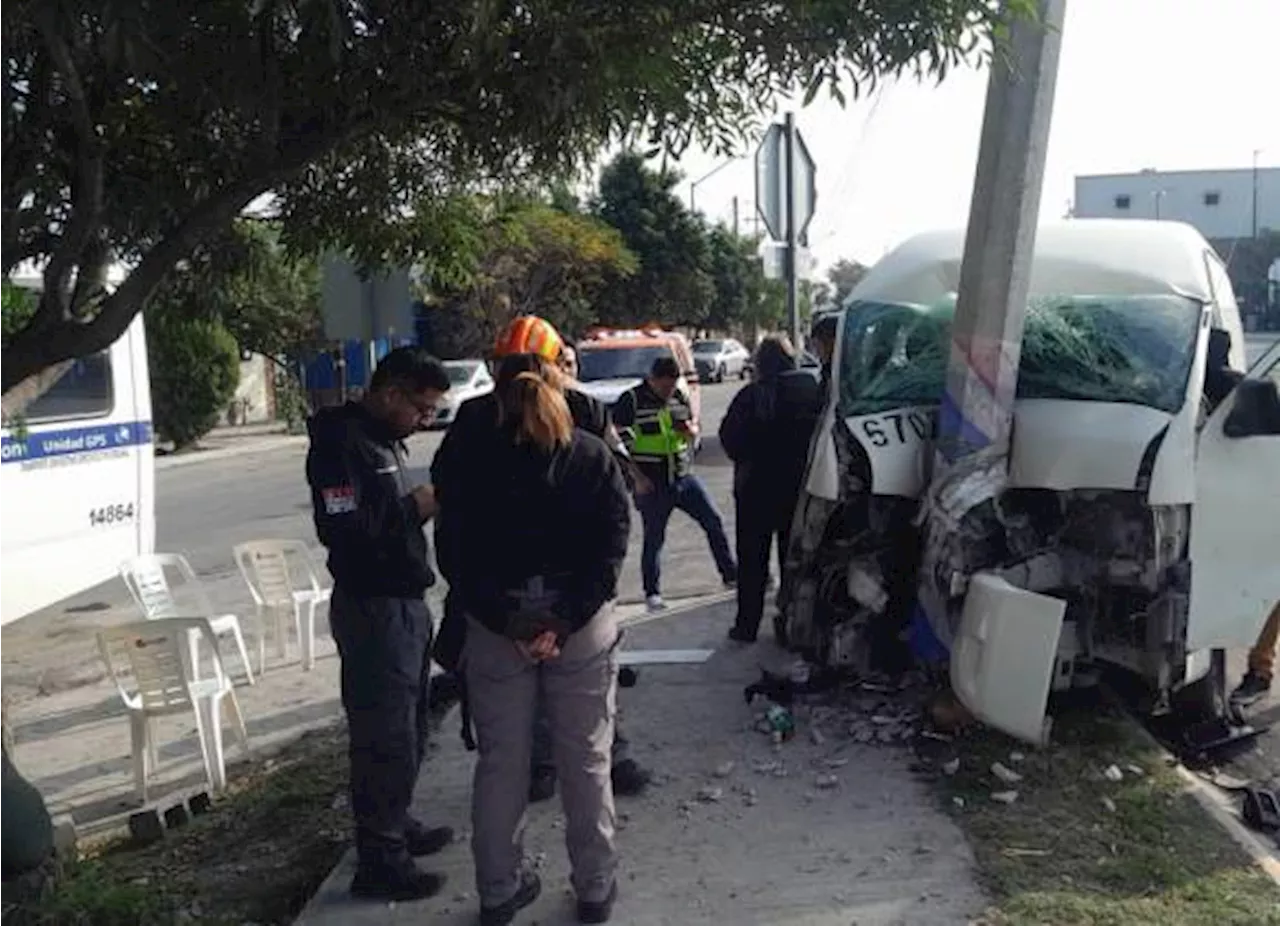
{"points": [[735, 832]]}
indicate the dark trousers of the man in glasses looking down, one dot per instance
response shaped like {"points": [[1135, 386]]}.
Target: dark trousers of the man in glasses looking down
{"points": [[385, 645]]}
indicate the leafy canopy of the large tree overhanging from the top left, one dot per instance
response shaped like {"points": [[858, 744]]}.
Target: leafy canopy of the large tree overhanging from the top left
{"points": [[355, 115]]}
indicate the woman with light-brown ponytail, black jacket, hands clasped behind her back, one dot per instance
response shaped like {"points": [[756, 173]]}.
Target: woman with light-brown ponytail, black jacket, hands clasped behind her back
{"points": [[536, 530]]}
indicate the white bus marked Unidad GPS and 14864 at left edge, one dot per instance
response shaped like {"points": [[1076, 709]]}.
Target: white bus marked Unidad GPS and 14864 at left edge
{"points": [[77, 478]]}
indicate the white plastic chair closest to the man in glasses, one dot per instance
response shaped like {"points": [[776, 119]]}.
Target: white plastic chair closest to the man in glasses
{"points": [[266, 567]]}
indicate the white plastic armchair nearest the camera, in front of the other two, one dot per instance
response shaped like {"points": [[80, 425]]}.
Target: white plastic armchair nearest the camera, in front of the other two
{"points": [[158, 656]]}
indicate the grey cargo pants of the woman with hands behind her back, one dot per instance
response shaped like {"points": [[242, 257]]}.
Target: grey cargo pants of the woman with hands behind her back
{"points": [[579, 694]]}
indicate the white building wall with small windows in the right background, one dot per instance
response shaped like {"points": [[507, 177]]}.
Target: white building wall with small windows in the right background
{"points": [[1218, 203]]}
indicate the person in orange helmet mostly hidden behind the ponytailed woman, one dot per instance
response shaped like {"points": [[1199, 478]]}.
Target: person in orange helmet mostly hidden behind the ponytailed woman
{"points": [[531, 335]]}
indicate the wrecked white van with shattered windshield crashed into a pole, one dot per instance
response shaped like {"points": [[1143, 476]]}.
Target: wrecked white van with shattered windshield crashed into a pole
{"points": [[1135, 524]]}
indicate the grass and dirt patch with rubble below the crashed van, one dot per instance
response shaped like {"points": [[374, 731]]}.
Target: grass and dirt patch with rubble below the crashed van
{"points": [[1098, 831]]}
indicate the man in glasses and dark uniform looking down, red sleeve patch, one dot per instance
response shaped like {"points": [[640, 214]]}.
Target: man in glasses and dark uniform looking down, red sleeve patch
{"points": [[372, 522]]}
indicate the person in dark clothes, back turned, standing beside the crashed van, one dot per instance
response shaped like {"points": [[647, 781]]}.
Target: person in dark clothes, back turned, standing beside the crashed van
{"points": [[766, 434]]}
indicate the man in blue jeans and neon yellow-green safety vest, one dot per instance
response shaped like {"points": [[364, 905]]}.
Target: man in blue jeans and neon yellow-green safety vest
{"points": [[656, 422]]}
